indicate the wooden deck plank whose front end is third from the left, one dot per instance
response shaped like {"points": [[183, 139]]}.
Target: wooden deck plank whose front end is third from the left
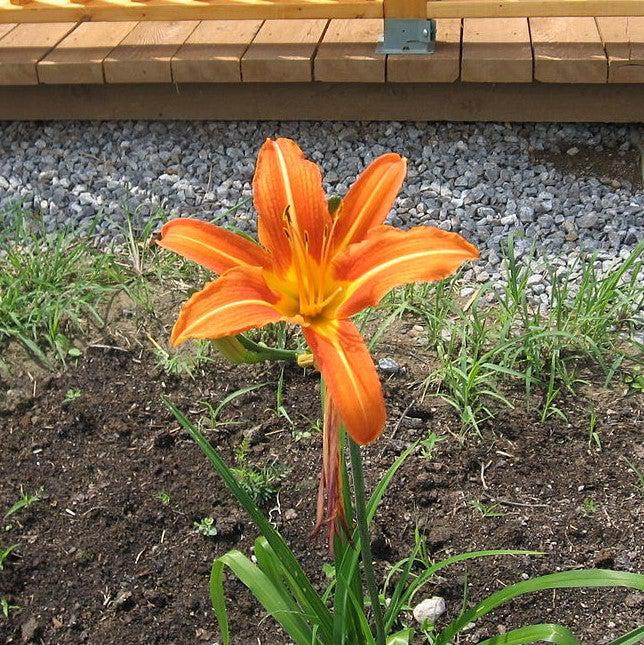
{"points": [[144, 55]]}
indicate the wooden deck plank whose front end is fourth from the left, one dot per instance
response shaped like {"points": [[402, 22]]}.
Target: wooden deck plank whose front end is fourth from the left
{"points": [[213, 51]]}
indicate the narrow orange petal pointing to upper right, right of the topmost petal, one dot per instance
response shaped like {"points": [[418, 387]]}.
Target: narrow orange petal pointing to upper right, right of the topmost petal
{"points": [[369, 199]]}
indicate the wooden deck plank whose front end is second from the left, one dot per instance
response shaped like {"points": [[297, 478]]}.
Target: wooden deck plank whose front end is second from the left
{"points": [[78, 58]]}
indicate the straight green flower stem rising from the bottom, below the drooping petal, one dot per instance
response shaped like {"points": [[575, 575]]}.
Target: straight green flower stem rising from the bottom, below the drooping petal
{"points": [[365, 541]]}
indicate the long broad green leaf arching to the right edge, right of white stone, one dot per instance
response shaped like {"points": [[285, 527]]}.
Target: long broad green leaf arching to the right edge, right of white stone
{"points": [[589, 578]]}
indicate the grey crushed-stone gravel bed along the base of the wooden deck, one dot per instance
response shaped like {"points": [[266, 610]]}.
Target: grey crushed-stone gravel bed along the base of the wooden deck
{"points": [[566, 188]]}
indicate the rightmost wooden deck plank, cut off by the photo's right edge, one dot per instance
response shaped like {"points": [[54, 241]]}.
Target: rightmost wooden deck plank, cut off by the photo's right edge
{"points": [[624, 44]]}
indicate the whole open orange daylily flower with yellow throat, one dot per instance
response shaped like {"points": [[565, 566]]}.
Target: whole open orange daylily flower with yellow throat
{"points": [[316, 269]]}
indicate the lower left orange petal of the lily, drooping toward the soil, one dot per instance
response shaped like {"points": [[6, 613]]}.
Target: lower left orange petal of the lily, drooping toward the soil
{"points": [[238, 301]]}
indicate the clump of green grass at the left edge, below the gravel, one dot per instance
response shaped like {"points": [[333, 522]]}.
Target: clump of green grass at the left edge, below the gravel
{"points": [[51, 287]]}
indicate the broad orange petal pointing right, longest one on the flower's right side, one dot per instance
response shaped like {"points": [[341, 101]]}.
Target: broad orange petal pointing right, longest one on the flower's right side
{"points": [[390, 257]]}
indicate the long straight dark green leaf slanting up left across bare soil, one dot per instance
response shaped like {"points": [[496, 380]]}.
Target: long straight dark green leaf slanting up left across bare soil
{"points": [[313, 604]]}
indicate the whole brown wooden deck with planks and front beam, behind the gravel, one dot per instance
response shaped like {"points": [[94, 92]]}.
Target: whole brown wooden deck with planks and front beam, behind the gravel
{"points": [[563, 69]]}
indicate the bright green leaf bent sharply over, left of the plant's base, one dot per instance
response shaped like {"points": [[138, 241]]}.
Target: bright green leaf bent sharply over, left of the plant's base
{"points": [[261, 586]]}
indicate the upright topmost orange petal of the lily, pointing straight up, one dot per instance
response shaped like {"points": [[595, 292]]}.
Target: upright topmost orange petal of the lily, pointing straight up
{"points": [[285, 179]]}
